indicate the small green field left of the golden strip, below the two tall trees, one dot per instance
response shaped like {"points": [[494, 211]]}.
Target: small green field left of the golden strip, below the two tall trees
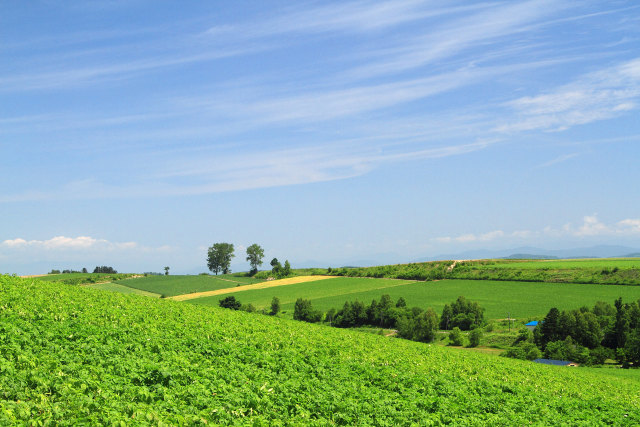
{"points": [[179, 285]]}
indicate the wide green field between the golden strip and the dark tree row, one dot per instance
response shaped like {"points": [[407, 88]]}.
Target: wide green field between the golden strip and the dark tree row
{"points": [[521, 299]]}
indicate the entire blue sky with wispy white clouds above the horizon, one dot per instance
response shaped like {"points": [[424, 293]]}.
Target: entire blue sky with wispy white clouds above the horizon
{"points": [[136, 134]]}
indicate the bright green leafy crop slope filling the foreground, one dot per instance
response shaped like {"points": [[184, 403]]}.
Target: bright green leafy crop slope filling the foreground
{"points": [[66, 357]]}
